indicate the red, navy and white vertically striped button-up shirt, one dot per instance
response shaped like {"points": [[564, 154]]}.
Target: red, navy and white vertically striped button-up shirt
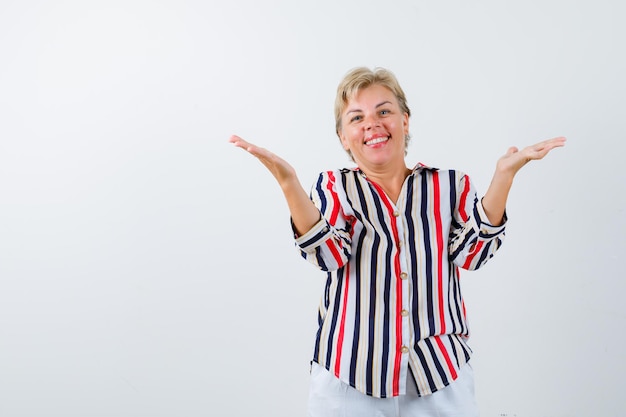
{"points": [[392, 300]]}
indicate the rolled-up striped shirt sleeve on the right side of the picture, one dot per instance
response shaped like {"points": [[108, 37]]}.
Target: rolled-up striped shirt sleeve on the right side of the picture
{"points": [[473, 240]]}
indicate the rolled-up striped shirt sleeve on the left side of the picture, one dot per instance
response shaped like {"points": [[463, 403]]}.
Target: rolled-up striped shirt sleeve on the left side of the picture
{"points": [[327, 244]]}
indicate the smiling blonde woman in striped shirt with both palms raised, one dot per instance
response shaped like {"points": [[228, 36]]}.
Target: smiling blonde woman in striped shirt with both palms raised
{"points": [[392, 336]]}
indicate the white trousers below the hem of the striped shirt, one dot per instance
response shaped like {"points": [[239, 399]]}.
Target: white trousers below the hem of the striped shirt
{"points": [[329, 397]]}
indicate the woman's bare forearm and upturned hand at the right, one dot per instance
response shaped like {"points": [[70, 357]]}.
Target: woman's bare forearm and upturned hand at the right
{"points": [[494, 201]]}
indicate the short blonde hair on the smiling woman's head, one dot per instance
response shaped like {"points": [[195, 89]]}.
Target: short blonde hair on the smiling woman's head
{"points": [[360, 78]]}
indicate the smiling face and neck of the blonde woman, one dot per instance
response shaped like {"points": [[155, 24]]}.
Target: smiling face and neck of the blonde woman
{"points": [[373, 128]]}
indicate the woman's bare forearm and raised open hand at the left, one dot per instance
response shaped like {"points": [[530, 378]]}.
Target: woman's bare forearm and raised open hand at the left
{"points": [[304, 214]]}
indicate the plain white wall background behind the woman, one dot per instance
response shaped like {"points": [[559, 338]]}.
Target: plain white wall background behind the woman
{"points": [[147, 267]]}
